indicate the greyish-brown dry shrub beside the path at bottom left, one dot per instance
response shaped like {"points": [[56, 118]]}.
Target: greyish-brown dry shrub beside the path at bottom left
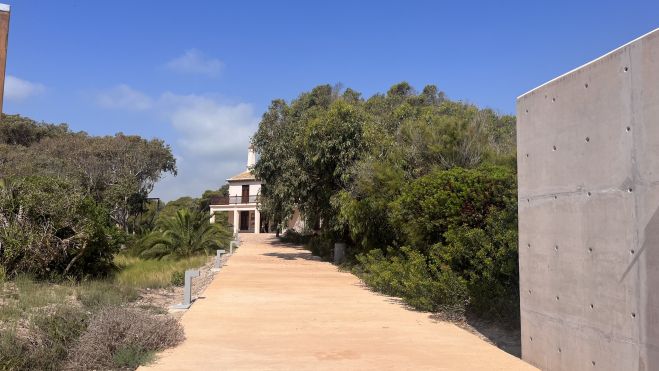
{"points": [[117, 336]]}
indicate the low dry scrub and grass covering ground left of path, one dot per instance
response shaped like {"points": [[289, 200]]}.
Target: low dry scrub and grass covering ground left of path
{"points": [[97, 324]]}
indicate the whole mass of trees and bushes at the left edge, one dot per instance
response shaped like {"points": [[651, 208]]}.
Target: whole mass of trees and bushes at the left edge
{"points": [[69, 200]]}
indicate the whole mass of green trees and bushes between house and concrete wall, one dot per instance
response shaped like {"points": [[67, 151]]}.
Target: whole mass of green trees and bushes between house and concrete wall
{"points": [[421, 188]]}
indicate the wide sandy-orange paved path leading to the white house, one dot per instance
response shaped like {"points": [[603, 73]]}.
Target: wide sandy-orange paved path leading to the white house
{"points": [[274, 308]]}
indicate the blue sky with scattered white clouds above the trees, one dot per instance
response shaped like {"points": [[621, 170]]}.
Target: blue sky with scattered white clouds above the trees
{"points": [[199, 74]]}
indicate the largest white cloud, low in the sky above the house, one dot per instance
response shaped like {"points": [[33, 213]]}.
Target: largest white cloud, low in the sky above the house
{"points": [[212, 142]]}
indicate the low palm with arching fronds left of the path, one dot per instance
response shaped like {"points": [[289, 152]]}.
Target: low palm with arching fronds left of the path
{"points": [[186, 233]]}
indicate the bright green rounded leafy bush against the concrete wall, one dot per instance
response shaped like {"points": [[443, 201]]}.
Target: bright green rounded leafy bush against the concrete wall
{"points": [[464, 221]]}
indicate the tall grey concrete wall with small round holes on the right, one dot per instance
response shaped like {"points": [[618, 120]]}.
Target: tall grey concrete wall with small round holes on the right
{"points": [[588, 164]]}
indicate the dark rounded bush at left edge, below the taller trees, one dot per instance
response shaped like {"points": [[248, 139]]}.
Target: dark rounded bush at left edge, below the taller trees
{"points": [[51, 229]]}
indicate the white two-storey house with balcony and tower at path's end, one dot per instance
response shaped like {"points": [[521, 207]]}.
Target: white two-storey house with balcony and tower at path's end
{"points": [[241, 206]]}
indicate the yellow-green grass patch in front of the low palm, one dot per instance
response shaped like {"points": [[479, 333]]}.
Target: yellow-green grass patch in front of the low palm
{"points": [[149, 273]]}
